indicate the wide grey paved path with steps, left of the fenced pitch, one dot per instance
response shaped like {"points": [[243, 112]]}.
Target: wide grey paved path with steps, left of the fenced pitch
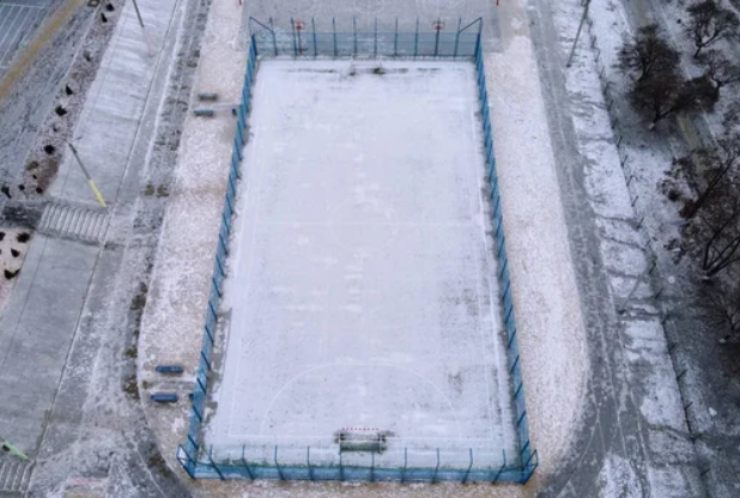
{"points": [[56, 337]]}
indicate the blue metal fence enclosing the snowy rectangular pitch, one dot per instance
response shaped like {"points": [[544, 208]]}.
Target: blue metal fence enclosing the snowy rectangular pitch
{"points": [[425, 466]]}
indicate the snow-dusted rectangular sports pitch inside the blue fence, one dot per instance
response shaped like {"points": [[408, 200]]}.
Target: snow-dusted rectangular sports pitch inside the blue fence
{"points": [[361, 286]]}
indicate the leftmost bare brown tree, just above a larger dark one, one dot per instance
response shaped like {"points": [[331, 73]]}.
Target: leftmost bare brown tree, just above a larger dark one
{"points": [[647, 54]]}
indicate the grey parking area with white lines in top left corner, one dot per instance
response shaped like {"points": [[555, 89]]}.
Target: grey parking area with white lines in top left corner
{"points": [[18, 20]]}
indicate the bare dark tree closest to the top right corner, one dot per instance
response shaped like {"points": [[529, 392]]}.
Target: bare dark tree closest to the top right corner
{"points": [[709, 22]]}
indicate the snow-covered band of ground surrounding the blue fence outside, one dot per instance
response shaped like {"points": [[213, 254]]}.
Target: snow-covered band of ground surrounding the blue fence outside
{"points": [[552, 339]]}
